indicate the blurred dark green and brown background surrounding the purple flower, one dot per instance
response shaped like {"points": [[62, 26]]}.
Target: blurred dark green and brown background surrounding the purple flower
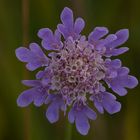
{"points": [[18, 27]]}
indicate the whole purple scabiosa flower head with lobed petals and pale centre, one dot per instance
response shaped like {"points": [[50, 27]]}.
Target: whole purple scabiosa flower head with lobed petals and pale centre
{"points": [[77, 70]]}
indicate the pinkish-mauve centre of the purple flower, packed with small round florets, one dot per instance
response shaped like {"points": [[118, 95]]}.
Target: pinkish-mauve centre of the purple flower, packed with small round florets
{"points": [[78, 68]]}
